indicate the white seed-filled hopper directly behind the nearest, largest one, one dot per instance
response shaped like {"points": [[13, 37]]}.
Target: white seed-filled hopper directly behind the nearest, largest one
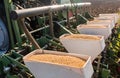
{"points": [[85, 46]]}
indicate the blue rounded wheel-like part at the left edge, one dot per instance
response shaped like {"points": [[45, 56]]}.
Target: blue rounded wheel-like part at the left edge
{"points": [[4, 39]]}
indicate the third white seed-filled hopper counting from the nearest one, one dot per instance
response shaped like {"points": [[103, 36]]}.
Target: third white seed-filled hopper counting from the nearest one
{"points": [[95, 29]]}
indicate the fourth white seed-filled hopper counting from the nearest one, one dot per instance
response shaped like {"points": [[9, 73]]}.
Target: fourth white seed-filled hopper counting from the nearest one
{"points": [[105, 22]]}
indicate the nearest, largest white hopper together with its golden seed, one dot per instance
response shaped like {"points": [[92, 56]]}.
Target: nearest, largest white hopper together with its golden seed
{"points": [[47, 69]]}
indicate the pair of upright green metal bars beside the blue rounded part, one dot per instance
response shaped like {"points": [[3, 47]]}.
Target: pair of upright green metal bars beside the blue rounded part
{"points": [[12, 26]]}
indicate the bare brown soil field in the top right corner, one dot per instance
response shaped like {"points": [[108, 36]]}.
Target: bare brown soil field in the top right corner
{"points": [[103, 6]]}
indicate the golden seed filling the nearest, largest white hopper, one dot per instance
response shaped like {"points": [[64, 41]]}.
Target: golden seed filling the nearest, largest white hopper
{"points": [[58, 59]]}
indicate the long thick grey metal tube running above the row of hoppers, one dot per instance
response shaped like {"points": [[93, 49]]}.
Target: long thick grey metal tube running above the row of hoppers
{"points": [[16, 14]]}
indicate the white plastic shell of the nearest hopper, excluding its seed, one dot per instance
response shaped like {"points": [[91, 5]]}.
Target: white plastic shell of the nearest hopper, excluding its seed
{"points": [[51, 70]]}
